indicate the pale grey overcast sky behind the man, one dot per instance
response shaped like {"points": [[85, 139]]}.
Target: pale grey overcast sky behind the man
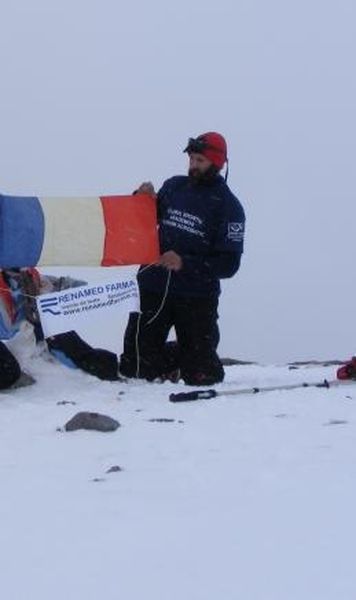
{"points": [[97, 96]]}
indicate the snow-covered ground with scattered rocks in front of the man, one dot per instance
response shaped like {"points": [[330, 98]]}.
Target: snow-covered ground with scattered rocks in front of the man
{"points": [[249, 497]]}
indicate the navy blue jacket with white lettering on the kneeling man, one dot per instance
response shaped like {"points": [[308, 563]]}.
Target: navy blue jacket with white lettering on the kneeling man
{"points": [[204, 223]]}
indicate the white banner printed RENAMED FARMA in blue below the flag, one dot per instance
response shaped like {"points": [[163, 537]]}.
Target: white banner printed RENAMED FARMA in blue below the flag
{"points": [[59, 311]]}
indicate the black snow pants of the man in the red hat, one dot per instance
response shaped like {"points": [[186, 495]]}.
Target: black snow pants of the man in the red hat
{"points": [[147, 354]]}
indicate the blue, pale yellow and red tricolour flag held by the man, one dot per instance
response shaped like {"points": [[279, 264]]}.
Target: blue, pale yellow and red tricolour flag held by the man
{"points": [[98, 231]]}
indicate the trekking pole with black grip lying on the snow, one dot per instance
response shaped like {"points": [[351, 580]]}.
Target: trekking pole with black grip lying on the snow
{"points": [[207, 394]]}
